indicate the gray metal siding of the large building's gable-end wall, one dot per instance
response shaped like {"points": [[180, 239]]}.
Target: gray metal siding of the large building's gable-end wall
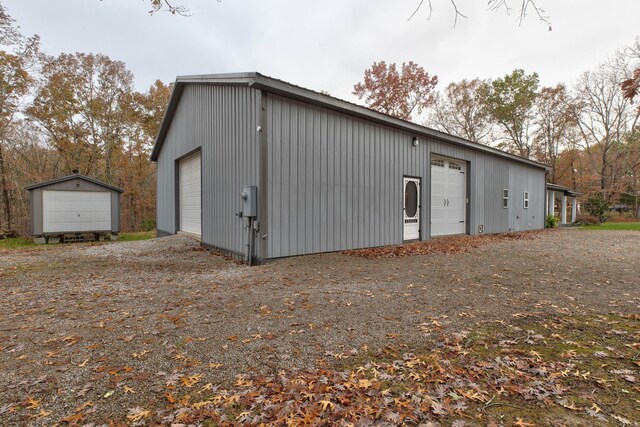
{"points": [[222, 122]]}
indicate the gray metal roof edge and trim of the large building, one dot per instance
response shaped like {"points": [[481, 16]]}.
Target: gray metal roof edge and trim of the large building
{"points": [[279, 87]]}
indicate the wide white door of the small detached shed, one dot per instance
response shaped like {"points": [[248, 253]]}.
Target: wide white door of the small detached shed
{"points": [[76, 211]]}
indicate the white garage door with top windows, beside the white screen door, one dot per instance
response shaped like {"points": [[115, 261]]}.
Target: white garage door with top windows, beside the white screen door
{"points": [[448, 196]]}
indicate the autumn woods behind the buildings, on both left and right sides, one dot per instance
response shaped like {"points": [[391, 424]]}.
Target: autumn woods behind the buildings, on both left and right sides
{"points": [[81, 111]]}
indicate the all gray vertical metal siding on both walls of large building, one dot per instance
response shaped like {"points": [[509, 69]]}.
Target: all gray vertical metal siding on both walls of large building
{"points": [[333, 181]]}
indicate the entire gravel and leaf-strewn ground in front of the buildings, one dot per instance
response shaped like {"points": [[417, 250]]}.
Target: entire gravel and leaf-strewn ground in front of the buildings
{"points": [[513, 332]]}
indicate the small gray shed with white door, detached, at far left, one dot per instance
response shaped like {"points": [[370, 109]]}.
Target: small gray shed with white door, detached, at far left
{"points": [[74, 204]]}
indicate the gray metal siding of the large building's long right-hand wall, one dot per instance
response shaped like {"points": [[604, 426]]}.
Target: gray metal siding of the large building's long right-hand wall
{"points": [[335, 181]]}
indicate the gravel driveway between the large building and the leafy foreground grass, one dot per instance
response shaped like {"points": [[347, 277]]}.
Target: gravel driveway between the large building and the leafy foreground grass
{"points": [[113, 324]]}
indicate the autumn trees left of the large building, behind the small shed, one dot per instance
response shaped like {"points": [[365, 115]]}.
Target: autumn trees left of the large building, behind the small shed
{"points": [[77, 111]]}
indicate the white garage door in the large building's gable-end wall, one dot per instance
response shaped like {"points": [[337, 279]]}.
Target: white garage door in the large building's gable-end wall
{"points": [[190, 194]]}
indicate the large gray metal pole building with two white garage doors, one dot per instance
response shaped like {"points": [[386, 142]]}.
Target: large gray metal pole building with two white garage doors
{"points": [[329, 175]]}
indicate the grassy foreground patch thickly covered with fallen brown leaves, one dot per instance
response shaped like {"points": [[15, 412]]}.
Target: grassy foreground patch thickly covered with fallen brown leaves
{"points": [[561, 371]]}
